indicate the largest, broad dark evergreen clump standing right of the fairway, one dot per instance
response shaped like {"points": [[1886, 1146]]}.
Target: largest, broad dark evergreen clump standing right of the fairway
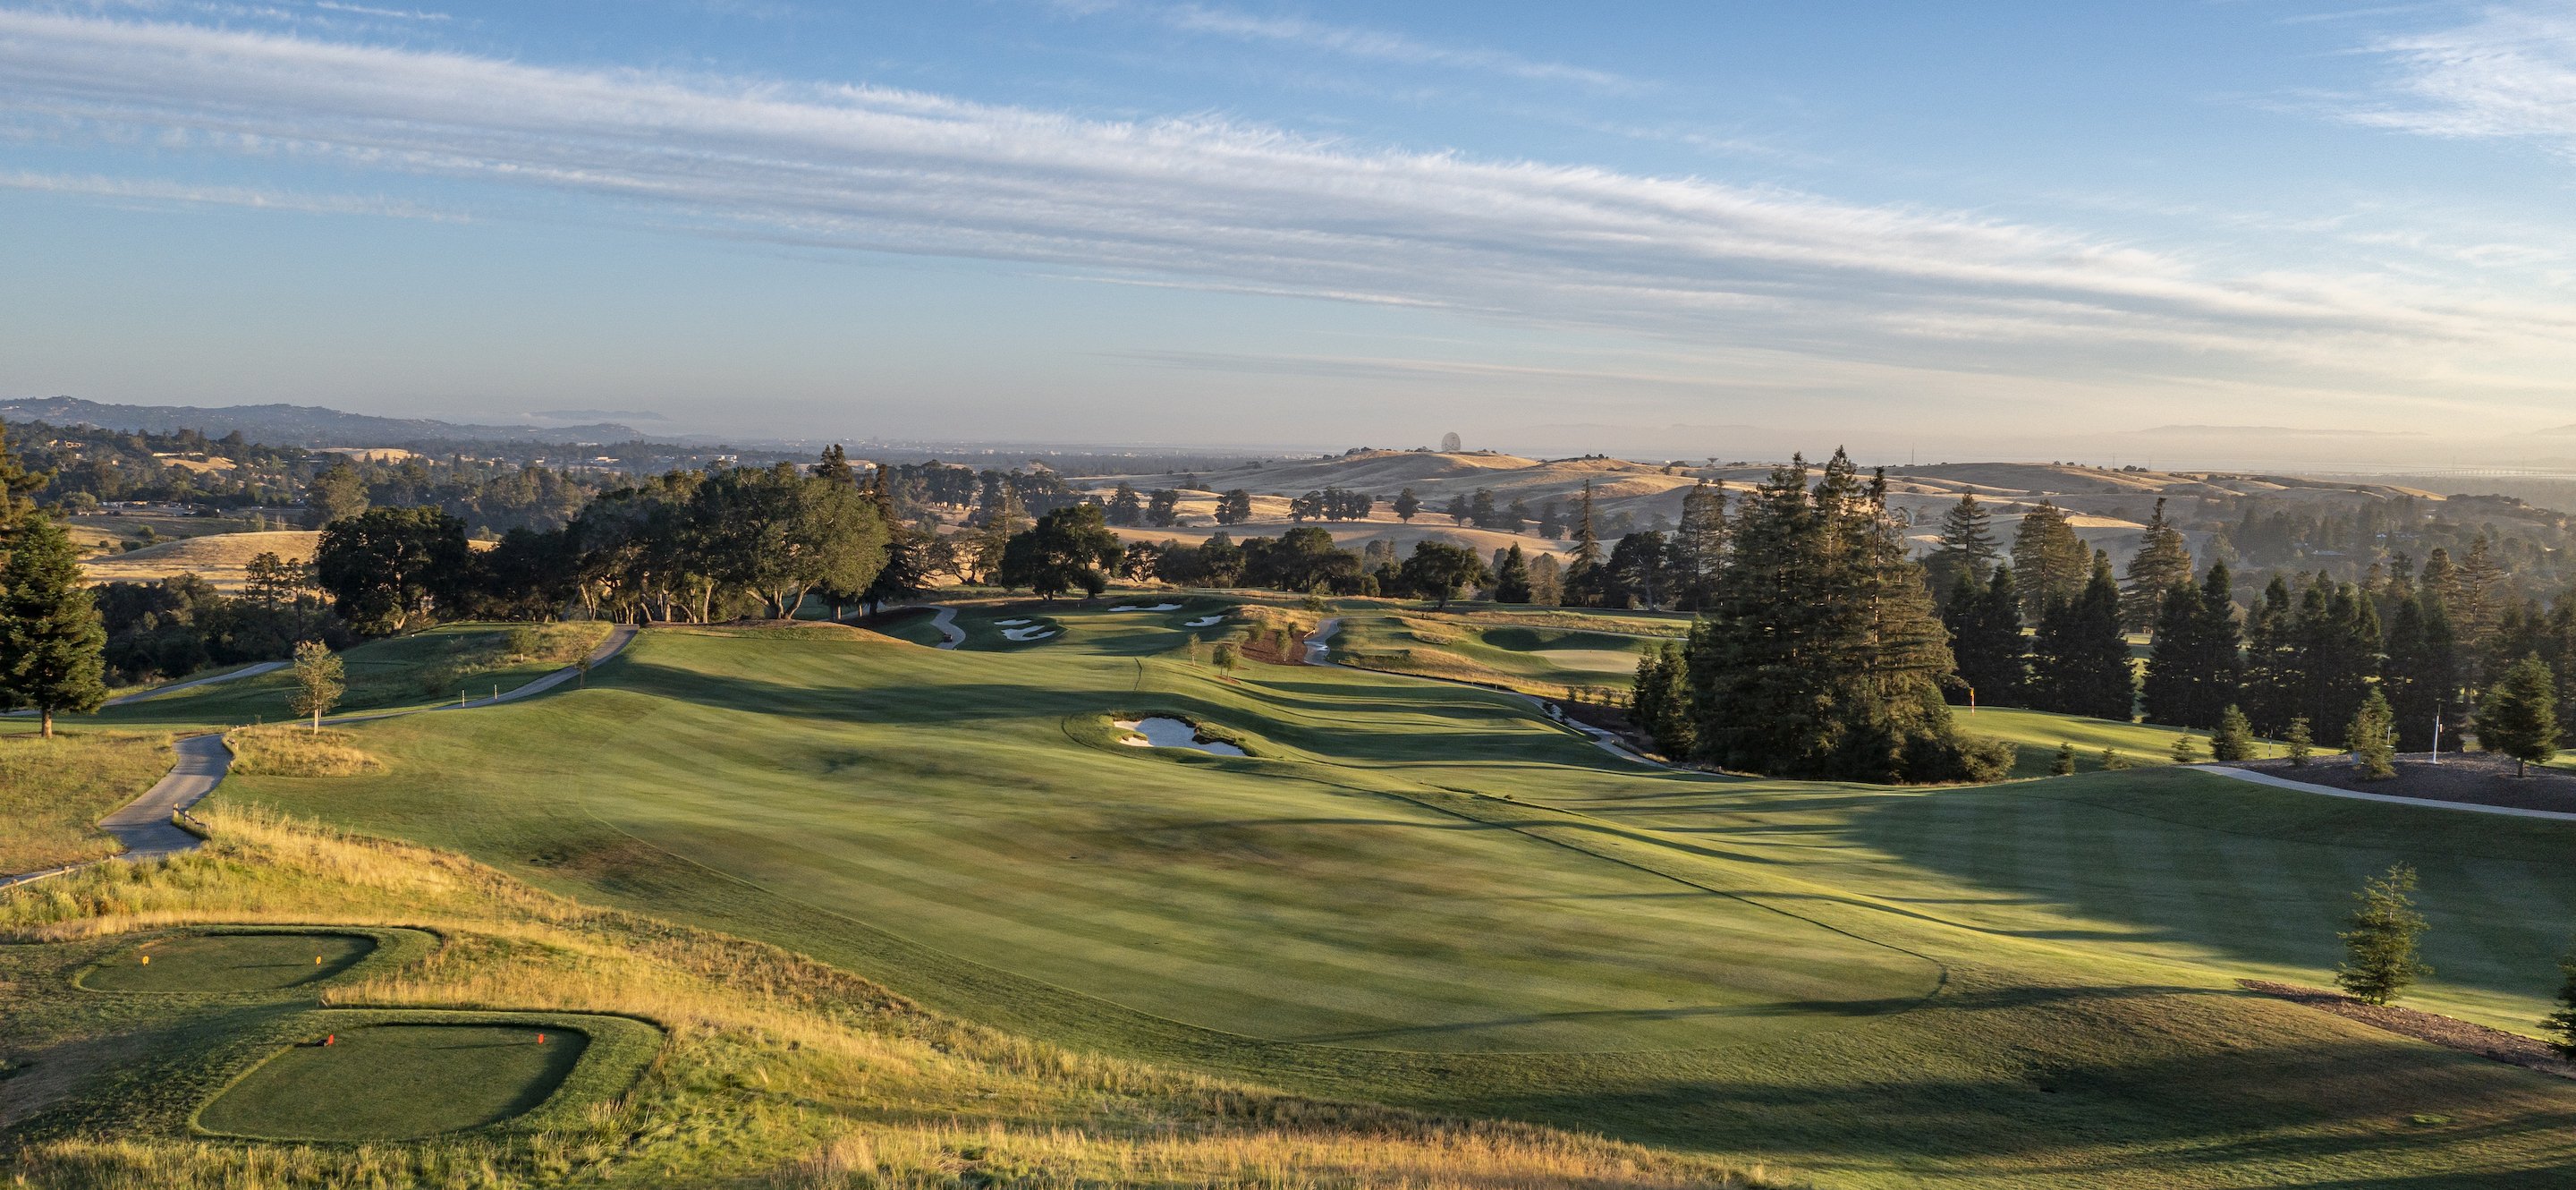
{"points": [[1820, 656]]}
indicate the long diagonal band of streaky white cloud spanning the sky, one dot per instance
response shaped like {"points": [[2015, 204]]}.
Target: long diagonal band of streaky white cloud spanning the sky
{"points": [[1222, 205]]}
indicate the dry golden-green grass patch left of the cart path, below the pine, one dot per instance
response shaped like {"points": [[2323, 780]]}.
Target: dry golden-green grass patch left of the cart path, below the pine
{"points": [[53, 792]]}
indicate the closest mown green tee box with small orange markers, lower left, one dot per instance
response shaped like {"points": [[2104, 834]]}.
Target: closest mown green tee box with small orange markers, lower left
{"points": [[390, 1083]]}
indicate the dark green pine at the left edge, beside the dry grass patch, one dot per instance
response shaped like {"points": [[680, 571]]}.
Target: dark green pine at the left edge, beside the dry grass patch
{"points": [[50, 635]]}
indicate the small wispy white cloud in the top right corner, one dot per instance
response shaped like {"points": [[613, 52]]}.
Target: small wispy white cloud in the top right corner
{"points": [[2508, 73]]}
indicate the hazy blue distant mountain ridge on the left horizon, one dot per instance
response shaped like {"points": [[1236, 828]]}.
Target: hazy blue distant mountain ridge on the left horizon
{"points": [[303, 424]]}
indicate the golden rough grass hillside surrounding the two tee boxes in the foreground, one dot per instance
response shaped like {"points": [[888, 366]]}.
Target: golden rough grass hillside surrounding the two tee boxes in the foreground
{"points": [[777, 1070]]}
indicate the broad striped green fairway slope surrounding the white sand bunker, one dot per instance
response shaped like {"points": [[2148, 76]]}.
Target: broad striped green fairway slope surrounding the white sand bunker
{"points": [[1423, 895]]}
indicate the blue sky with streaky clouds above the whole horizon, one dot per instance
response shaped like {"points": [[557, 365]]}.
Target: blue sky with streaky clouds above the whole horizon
{"points": [[1694, 231]]}
